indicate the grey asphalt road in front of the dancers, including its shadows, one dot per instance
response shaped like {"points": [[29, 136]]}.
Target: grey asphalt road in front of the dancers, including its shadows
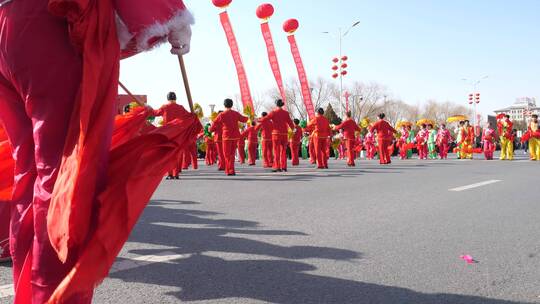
{"points": [[373, 234]]}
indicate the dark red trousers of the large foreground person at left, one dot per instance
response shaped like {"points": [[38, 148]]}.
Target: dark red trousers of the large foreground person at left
{"points": [[36, 103]]}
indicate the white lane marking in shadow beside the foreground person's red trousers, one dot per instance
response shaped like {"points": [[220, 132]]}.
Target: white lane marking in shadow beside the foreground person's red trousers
{"points": [[121, 265]]}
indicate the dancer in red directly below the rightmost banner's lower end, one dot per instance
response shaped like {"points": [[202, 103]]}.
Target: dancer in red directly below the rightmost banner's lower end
{"points": [[321, 132]]}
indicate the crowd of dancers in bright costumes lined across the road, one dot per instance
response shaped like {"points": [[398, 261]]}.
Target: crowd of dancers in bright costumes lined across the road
{"points": [[274, 138]]}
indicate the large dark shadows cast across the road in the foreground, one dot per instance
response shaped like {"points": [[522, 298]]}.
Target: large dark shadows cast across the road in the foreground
{"points": [[275, 276]]}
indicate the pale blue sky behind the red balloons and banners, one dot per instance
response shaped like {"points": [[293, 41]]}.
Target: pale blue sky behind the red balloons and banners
{"points": [[419, 49]]}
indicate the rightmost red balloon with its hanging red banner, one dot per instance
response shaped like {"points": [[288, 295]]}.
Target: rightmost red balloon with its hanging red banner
{"points": [[290, 26]]}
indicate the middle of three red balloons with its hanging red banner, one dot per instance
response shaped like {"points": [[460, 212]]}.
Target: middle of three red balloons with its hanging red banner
{"points": [[265, 12]]}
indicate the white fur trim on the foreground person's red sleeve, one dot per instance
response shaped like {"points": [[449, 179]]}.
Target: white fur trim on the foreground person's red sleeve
{"points": [[179, 22]]}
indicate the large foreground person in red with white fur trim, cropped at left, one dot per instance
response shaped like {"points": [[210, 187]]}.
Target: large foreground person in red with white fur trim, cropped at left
{"points": [[61, 130]]}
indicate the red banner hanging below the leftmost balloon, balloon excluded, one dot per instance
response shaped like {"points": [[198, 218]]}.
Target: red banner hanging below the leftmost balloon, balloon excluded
{"points": [[242, 76]]}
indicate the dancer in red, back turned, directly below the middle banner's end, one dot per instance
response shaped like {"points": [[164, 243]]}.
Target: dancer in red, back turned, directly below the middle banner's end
{"points": [[281, 122]]}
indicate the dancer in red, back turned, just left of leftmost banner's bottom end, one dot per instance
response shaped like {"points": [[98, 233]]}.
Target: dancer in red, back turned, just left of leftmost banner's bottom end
{"points": [[231, 134]]}
